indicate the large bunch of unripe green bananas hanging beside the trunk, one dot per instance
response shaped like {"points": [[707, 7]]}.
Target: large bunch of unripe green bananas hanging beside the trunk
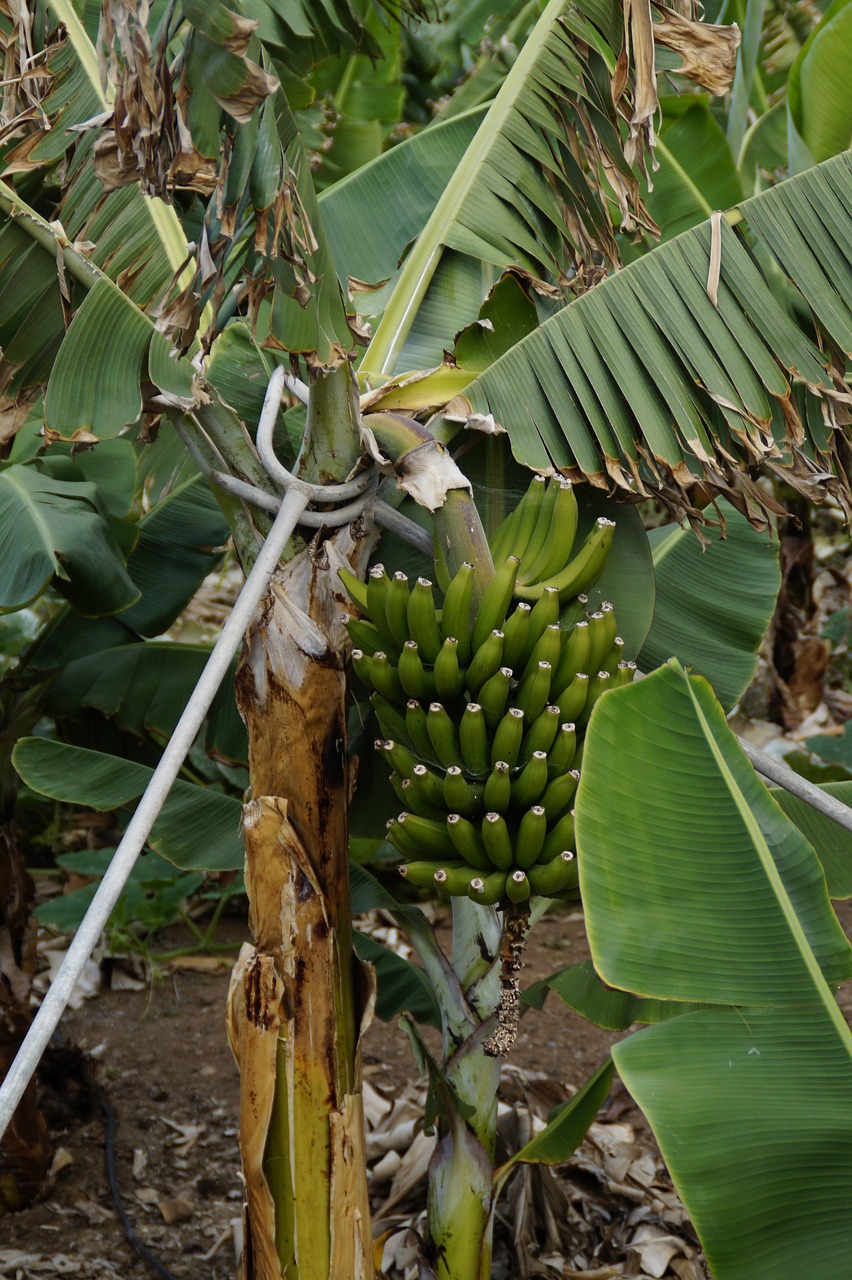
{"points": [[484, 716]]}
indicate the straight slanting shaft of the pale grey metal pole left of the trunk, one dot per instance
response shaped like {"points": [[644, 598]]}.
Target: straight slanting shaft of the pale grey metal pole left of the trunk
{"points": [[146, 813]]}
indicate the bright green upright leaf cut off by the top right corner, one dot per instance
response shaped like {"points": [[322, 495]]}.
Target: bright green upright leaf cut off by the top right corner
{"points": [[819, 92]]}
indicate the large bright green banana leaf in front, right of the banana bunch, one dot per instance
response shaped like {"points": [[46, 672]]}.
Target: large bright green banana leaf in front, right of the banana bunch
{"points": [[698, 889]]}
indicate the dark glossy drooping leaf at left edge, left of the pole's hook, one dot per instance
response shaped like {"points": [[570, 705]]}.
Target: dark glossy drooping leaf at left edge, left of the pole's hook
{"points": [[58, 532]]}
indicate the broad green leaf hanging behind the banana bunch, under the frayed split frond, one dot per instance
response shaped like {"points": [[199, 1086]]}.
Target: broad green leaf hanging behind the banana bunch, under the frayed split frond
{"points": [[714, 605]]}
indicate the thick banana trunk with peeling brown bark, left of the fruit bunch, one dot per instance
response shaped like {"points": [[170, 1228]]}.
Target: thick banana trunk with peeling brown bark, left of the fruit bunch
{"points": [[300, 1000]]}
